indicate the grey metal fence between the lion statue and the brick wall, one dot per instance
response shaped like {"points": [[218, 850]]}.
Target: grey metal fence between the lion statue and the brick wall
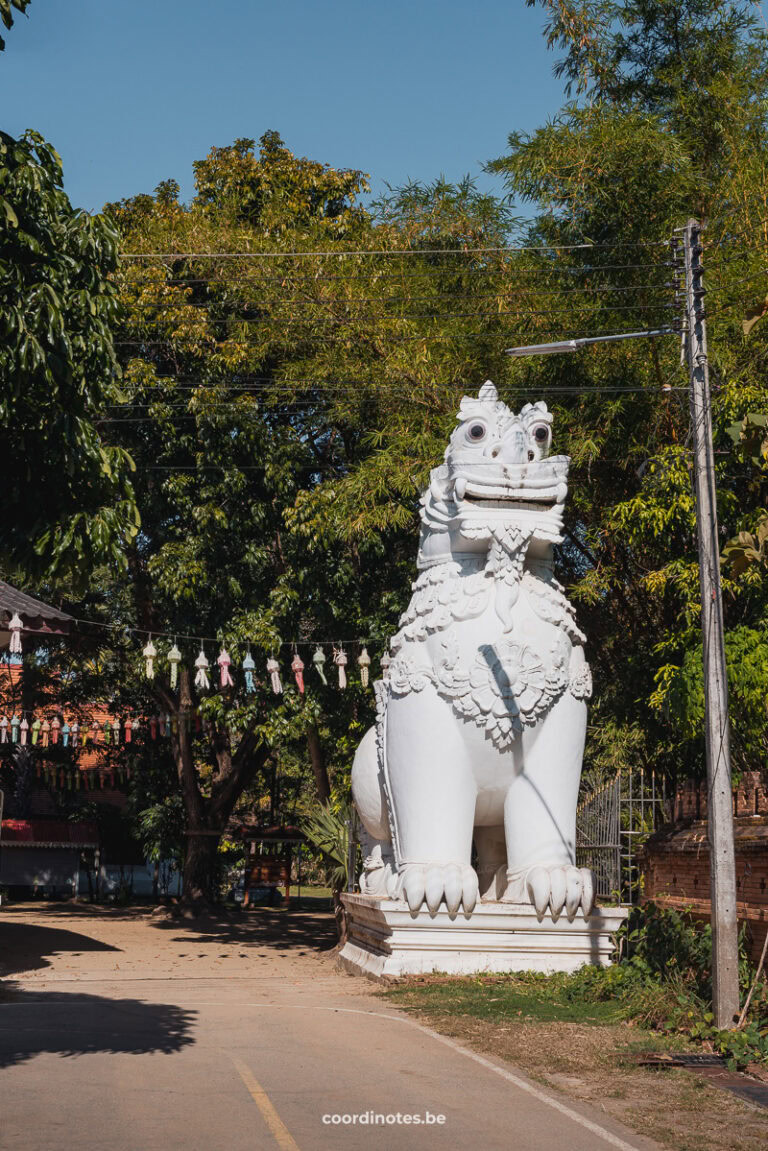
{"points": [[612, 825]]}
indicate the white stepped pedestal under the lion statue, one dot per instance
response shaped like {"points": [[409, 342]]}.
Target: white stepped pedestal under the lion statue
{"points": [[386, 941]]}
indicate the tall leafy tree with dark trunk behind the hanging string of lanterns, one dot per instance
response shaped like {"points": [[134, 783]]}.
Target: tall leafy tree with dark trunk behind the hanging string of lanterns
{"points": [[219, 461]]}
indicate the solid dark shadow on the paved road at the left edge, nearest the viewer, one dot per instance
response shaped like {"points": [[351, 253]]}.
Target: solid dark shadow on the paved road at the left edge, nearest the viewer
{"points": [[33, 1024]]}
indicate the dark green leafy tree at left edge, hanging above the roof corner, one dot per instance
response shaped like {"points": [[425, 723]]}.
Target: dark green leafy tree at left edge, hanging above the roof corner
{"points": [[69, 502]]}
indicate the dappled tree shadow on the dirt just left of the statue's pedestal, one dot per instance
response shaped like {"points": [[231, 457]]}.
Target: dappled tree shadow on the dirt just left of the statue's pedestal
{"points": [[270, 928]]}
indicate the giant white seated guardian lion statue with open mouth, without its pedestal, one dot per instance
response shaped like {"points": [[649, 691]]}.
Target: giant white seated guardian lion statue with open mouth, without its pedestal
{"points": [[482, 718]]}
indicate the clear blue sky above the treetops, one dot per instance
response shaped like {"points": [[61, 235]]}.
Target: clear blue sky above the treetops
{"points": [[131, 93]]}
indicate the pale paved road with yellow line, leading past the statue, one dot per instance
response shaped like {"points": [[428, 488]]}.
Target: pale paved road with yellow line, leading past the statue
{"points": [[104, 1051]]}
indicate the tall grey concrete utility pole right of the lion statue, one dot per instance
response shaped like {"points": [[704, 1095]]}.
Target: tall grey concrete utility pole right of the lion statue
{"points": [[720, 813]]}
